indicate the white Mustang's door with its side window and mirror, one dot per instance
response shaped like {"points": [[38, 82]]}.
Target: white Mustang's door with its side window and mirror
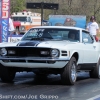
{"points": [[89, 48]]}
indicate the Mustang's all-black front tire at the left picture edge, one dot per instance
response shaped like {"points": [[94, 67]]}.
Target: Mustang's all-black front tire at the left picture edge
{"points": [[7, 74]]}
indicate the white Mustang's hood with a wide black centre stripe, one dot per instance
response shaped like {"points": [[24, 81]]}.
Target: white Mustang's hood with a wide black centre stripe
{"points": [[53, 44]]}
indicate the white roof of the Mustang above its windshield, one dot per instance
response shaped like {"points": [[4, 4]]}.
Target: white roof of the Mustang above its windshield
{"points": [[66, 27]]}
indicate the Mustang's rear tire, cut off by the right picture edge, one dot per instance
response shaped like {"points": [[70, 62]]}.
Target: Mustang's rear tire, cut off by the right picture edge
{"points": [[95, 73]]}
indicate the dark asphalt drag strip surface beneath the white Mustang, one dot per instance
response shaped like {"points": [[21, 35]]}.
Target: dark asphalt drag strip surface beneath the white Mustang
{"points": [[28, 86]]}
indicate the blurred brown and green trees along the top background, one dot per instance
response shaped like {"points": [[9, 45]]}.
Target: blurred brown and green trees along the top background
{"points": [[66, 7]]}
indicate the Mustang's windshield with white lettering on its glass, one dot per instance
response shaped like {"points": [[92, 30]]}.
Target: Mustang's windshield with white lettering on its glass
{"points": [[52, 33]]}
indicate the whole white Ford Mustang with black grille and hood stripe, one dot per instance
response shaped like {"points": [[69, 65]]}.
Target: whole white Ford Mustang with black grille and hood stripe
{"points": [[51, 49]]}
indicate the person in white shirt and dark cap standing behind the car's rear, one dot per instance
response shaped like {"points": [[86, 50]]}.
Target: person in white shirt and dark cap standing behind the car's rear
{"points": [[93, 26]]}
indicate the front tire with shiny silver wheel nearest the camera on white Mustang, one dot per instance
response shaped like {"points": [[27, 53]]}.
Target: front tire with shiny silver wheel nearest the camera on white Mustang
{"points": [[69, 73]]}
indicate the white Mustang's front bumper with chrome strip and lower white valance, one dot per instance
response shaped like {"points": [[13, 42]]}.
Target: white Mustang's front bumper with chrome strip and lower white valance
{"points": [[34, 62]]}
